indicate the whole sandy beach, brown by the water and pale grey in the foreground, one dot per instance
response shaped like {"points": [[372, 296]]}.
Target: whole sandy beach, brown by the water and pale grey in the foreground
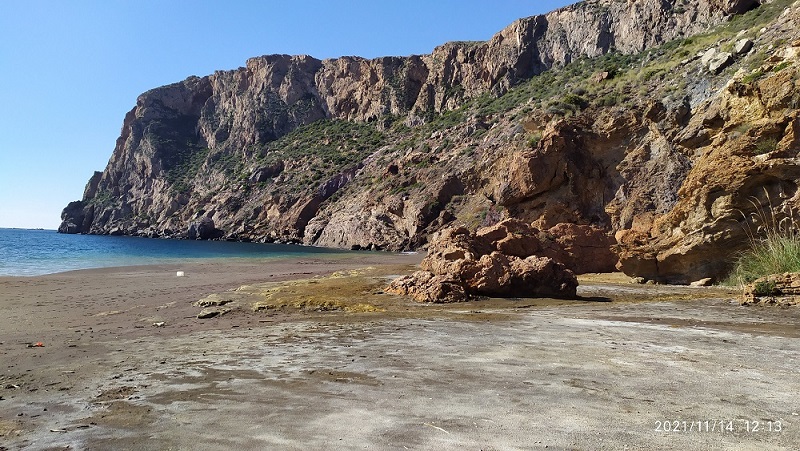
{"points": [[606, 372]]}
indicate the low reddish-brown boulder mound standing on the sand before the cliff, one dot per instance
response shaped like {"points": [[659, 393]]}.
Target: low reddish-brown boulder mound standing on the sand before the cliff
{"points": [[498, 261]]}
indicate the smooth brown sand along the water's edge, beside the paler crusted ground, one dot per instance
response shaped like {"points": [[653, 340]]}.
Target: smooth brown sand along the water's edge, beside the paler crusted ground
{"points": [[79, 313]]}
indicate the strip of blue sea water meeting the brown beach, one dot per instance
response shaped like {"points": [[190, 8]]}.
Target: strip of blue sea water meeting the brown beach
{"points": [[25, 252]]}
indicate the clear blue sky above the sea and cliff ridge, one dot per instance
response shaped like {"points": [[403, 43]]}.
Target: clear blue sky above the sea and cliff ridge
{"points": [[70, 70]]}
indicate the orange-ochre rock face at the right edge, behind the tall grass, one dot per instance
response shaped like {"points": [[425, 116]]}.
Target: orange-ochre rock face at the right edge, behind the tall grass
{"points": [[743, 183]]}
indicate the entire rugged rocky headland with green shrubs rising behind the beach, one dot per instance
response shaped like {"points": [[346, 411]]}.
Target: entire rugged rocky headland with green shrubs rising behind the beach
{"points": [[605, 113]]}
